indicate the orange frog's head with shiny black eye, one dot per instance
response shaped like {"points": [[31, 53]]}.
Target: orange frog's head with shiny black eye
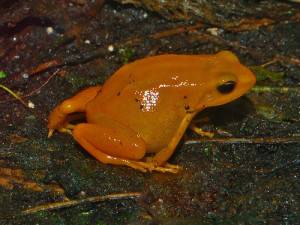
{"points": [[229, 80]]}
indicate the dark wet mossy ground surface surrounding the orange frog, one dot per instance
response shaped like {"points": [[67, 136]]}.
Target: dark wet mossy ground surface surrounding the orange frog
{"points": [[246, 175]]}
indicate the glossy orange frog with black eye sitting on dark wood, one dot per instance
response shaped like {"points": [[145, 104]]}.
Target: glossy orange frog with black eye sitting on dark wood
{"points": [[146, 106]]}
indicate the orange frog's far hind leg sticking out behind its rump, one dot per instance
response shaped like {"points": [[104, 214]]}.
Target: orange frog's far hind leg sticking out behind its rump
{"points": [[59, 117]]}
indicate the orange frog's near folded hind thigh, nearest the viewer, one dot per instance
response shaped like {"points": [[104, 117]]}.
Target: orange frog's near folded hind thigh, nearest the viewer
{"points": [[110, 144]]}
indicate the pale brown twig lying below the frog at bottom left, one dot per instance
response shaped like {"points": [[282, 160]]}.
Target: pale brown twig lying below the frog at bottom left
{"points": [[67, 204]]}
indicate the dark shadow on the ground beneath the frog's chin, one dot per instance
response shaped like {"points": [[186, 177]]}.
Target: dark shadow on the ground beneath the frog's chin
{"points": [[224, 114]]}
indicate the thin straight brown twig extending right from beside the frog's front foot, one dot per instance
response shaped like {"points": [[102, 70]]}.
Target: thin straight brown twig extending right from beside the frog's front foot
{"points": [[257, 140]]}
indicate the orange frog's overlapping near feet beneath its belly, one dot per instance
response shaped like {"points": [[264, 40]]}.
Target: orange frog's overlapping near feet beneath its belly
{"points": [[150, 166]]}
